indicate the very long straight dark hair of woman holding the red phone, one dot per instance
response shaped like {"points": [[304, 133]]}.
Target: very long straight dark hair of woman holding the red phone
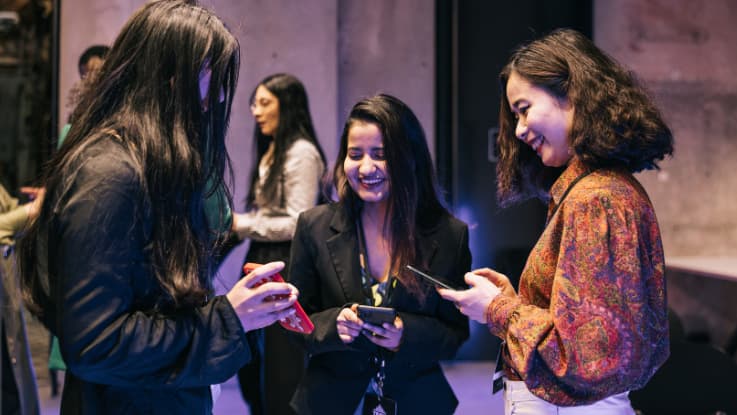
{"points": [[147, 94]]}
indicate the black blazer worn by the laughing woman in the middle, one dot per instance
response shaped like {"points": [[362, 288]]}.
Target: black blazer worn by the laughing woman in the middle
{"points": [[324, 266]]}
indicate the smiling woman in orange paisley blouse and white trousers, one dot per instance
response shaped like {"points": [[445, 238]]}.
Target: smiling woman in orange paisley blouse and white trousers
{"points": [[589, 321]]}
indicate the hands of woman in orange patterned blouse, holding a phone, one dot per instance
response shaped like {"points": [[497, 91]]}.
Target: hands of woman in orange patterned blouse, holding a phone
{"points": [[474, 301]]}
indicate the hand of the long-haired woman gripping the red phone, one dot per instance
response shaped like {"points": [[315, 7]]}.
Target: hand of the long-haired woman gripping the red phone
{"points": [[251, 304]]}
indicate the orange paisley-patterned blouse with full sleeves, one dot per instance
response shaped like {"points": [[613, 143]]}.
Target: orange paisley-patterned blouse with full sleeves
{"points": [[590, 319]]}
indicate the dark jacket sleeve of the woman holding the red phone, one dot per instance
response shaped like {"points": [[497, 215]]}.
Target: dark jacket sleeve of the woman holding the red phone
{"points": [[100, 266]]}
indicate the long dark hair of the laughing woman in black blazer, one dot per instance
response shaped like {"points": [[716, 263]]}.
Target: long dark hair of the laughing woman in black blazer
{"points": [[414, 201]]}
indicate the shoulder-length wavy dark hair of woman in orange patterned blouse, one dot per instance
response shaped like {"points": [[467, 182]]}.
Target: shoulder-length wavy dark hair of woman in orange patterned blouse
{"points": [[615, 123]]}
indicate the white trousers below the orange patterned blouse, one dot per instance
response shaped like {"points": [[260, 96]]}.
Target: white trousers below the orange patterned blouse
{"points": [[518, 400]]}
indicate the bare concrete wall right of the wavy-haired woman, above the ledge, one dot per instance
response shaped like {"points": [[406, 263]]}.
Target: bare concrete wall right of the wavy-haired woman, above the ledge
{"points": [[684, 52]]}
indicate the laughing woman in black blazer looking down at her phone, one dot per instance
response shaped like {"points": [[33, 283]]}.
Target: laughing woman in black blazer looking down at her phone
{"points": [[355, 251]]}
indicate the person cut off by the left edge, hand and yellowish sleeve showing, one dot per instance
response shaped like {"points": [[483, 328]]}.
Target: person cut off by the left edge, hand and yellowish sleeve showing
{"points": [[19, 392]]}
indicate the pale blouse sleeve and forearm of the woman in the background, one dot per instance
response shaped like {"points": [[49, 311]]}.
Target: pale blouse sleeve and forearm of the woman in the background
{"points": [[303, 170]]}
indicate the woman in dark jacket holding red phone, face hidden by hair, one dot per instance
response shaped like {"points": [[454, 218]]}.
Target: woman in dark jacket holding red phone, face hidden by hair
{"points": [[118, 265]]}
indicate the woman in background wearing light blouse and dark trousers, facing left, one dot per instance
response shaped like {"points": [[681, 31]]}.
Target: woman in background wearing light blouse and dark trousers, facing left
{"points": [[286, 180]]}
